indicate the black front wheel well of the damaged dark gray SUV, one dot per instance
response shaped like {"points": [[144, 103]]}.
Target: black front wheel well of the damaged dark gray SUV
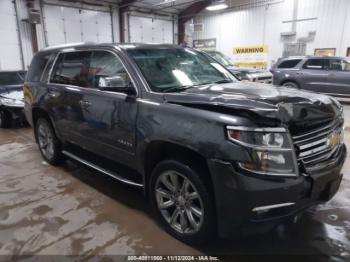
{"points": [[158, 151]]}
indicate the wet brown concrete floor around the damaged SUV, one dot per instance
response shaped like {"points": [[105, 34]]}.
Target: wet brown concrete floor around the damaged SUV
{"points": [[72, 210]]}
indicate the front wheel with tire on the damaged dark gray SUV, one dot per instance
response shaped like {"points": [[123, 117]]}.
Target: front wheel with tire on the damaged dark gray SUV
{"points": [[188, 216]]}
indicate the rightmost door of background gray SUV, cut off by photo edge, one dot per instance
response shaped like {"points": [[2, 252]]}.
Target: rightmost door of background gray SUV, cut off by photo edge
{"points": [[338, 77]]}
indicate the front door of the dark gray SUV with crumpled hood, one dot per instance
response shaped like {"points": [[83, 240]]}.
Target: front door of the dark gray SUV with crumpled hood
{"points": [[109, 117]]}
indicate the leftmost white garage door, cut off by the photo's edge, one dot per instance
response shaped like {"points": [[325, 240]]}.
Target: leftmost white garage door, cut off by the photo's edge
{"points": [[10, 56]]}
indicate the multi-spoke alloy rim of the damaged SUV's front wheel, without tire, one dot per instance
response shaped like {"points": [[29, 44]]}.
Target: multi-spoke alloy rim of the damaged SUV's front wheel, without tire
{"points": [[179, 202]]}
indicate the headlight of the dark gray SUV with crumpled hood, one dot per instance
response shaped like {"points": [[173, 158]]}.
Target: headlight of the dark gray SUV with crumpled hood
{"points": [[270, 149]]}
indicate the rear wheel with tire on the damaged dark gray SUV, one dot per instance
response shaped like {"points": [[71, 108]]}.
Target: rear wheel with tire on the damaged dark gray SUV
{"points": [[49, 145]]}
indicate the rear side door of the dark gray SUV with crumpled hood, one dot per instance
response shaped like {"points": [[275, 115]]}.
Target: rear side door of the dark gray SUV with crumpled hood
{"points": [[68, 80]]}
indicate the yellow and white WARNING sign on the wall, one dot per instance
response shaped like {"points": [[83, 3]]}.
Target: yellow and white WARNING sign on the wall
{"points": [[251, 56]]}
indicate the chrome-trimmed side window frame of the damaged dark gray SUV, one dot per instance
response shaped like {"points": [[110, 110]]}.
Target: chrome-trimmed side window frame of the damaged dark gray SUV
{"points": [[62, 52]]}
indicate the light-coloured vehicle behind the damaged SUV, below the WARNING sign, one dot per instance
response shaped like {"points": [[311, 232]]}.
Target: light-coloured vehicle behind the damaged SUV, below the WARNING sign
{"points": [[250, 74]]}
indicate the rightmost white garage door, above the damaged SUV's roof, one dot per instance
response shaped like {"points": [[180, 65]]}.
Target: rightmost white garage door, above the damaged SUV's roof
{"points": [[148, 30]]}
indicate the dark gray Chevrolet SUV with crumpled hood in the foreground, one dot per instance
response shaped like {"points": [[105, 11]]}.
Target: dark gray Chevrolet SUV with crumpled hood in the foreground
{"points": [[211, 153]]}
